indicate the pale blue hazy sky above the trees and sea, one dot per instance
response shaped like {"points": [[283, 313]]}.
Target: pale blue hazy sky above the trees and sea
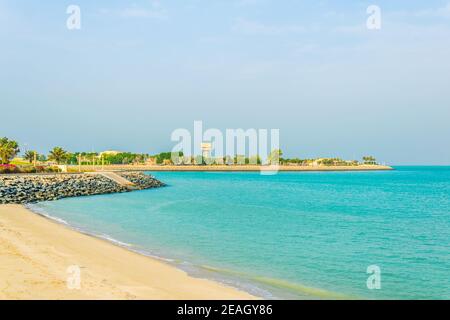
{"points": [[138, 70]]}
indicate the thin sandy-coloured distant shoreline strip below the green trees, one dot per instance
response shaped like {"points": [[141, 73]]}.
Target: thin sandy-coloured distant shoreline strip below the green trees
{"points": [[226, 168]]}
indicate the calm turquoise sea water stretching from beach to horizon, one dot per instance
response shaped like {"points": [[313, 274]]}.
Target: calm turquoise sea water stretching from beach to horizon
{"points": [[292, 235]]}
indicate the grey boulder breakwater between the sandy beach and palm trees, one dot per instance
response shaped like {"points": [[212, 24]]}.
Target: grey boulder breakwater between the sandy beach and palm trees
{"points": [[22, 189]]}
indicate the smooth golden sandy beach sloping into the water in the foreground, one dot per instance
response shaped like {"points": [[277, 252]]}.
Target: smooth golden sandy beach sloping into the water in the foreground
{"points": [[36, 255]]}
